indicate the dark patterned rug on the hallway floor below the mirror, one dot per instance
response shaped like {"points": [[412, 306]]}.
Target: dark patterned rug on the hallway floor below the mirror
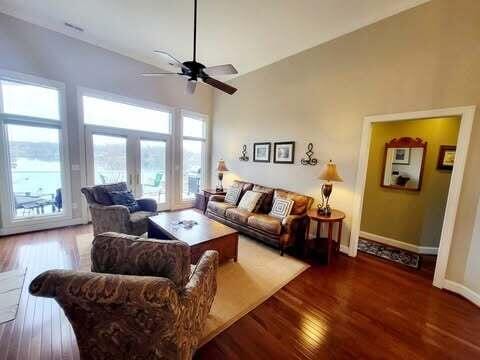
{"points": [[400, 256]]}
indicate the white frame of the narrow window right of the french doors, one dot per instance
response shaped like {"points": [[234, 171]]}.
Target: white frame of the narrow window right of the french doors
{"points": [[205, 153]]}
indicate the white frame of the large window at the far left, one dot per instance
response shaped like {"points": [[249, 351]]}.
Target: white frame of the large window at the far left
{"points": [[9, 220]]}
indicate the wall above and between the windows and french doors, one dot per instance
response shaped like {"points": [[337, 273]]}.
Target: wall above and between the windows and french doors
{"points": [[33, 50]]}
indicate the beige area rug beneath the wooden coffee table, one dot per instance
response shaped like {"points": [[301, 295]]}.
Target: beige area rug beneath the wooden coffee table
{"points": [[242, 286]]}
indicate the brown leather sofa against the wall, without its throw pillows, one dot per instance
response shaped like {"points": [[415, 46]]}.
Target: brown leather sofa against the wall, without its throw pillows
{"points": [[274, 231]]}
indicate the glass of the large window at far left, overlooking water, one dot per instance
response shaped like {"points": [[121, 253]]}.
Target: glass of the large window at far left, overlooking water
{"points": [[30, 117]]}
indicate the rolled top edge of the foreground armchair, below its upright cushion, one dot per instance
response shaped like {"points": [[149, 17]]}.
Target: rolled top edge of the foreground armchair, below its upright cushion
{"points": [[72, 288]]}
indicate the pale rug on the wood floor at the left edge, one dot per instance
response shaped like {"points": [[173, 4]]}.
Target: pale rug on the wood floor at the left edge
{"points": [[11, 284]]}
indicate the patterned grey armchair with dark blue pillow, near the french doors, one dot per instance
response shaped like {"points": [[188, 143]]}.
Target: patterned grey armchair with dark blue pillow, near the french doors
{"points": [[108, 217]]}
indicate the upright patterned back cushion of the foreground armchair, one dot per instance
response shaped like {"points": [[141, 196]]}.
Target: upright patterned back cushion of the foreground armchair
{"points": [[115, 253]]}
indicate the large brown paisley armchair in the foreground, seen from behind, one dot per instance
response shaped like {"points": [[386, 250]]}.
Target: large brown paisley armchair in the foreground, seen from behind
{"points": [[142, 300]]}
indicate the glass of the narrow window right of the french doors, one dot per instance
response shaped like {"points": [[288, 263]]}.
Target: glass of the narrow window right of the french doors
{"points": [[194, 137]]}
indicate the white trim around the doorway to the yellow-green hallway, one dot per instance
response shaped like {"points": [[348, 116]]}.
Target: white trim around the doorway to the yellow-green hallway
{"points": [[467, 114]]}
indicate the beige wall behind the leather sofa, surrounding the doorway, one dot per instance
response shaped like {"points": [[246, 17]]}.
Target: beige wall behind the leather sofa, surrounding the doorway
{"points": [[424, 58]]}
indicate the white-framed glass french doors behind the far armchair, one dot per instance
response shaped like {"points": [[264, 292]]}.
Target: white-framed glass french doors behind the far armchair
{"points": [[140, 159]]}
